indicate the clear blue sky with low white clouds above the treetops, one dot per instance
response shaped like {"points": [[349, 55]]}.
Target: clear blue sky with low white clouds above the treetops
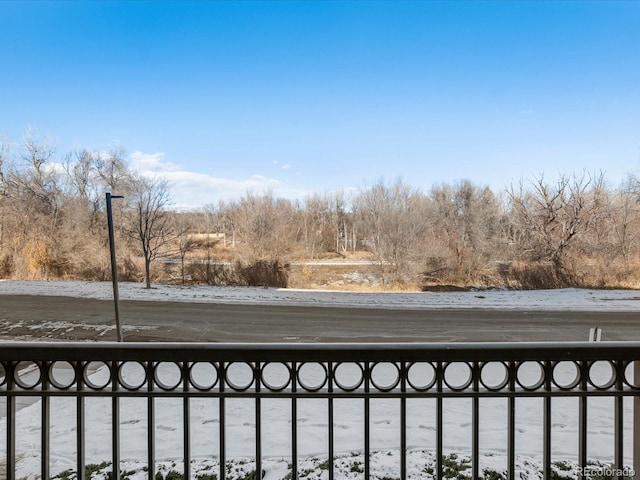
{"points": [[304, 96]]}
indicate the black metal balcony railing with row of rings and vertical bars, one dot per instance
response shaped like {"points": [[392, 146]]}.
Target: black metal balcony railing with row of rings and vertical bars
{"points": [[325, 372]]}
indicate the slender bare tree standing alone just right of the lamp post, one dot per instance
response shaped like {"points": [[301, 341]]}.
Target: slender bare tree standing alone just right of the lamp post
{"points": [[148, 220]]}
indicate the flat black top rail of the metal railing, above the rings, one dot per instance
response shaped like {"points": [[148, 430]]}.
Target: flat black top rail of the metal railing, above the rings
{"points": [[337, 352]]}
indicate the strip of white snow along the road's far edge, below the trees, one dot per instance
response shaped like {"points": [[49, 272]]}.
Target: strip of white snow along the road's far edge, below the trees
{"points": [[563, 299]]}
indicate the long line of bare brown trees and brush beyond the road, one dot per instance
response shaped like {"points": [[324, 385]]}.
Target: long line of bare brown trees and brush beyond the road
{"points": [[572, 230]]}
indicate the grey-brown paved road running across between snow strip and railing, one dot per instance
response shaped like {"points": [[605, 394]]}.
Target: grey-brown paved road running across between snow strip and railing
{"points": [[63, 318]]}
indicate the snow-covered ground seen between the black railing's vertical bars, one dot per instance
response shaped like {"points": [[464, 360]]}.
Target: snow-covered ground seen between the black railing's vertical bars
{"points": [[312, 430]]}
